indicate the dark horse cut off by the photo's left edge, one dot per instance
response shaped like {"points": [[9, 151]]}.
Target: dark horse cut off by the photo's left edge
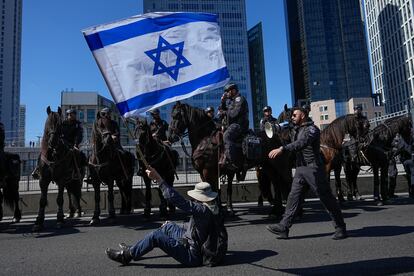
{"points": [[10, 186]]}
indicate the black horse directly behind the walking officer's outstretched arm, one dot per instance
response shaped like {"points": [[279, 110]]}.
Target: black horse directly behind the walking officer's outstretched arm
{"points": [[276, 172]]}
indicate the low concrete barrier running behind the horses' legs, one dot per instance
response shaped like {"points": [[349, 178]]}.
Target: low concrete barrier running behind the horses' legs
{"points": [[242, 192]]}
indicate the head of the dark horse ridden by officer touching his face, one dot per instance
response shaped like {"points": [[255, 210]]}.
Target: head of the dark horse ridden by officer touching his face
{"points": [[179, 122]]}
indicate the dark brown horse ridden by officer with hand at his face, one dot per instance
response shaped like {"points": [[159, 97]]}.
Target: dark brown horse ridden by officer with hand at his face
{"points": [[206, 144]]}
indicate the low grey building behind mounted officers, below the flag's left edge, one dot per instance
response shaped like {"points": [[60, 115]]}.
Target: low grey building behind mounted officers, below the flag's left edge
{"points": [[87, 105]]}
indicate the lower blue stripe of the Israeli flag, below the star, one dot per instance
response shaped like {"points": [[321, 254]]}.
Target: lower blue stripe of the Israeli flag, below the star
{"points": [[151, 98]]}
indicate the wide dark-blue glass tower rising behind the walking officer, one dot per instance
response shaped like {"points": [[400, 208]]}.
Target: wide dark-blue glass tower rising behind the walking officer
{"points": [[327, 51]]}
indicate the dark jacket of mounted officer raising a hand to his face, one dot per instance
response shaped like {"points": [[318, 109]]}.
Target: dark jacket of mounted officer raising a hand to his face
{"points": [[237, 111]]}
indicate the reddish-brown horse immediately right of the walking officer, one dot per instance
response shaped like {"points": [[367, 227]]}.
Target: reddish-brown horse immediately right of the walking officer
{"points": [[332, 138]]}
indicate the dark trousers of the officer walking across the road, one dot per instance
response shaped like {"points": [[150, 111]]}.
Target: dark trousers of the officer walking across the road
{"points": [[316, 178]]}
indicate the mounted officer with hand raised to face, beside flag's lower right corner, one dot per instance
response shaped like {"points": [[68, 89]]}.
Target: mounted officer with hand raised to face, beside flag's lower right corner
{"points": [[237, 117]]}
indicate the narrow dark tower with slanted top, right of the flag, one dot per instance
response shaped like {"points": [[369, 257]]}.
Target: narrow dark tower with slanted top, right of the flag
{"points": [[257, 73]]}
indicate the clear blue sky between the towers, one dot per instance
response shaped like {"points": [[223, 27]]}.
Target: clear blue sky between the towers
{"points": [[55, 56]]}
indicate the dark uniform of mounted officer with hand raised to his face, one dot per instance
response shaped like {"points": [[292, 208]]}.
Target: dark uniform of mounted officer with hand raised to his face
{"points": [[237, 118]]}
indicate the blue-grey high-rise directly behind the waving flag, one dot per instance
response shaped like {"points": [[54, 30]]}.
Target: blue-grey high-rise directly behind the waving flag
{"points": [[233, 27]]}
